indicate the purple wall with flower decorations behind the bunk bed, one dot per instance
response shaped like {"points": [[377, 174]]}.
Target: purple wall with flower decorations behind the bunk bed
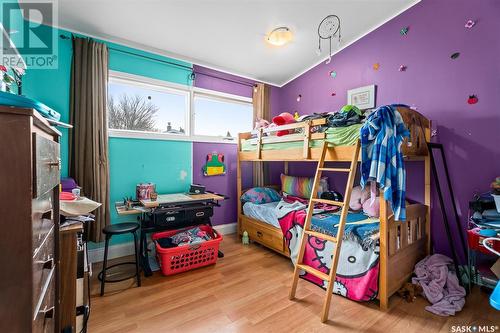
{"points": [[433, 83]]}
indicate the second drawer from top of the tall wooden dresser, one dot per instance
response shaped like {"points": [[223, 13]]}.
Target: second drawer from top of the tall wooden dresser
{"points": [[42, 218]]}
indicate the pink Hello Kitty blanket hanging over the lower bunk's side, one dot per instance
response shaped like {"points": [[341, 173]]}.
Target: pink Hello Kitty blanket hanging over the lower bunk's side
{"points": [[357, 271]]}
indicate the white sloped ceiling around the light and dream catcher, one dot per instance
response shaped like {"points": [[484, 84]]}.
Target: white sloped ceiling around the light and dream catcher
{"points": [[228, 35]]}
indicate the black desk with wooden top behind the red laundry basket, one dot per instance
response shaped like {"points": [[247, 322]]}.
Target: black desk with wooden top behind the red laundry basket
{"points": [[170, 211]]}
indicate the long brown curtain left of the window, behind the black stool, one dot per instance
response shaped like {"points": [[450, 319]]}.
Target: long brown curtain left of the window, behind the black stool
{"points": [[88, 147]]}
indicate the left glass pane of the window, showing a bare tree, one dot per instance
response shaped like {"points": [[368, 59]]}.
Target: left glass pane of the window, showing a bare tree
{"points": [[134, 106]]}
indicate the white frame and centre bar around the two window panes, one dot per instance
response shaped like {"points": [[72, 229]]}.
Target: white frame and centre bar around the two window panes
{"points": [[190, 92]]}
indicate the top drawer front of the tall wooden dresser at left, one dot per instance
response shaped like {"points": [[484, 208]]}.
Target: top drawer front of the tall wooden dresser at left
{"points": [[46, 165]]}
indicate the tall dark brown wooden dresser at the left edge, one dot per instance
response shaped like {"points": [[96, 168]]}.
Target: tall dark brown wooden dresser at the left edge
{"points": [[29, 221]]}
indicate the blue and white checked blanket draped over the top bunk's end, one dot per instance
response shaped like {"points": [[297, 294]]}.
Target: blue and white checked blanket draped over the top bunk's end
{"points": [[382, 158]]}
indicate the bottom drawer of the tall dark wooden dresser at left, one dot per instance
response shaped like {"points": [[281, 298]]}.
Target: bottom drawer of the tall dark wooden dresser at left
{"points": [[44, 314]]}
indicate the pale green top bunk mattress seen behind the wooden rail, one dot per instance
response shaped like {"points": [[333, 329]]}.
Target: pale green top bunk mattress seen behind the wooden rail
{"points": [[336, 136]]}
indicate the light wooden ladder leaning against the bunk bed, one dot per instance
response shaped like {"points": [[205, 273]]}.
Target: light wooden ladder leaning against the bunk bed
{"points": [[330, 278]]}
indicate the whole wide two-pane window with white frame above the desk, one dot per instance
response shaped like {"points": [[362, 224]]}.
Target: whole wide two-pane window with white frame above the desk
{"points": [[147, 108]]}
